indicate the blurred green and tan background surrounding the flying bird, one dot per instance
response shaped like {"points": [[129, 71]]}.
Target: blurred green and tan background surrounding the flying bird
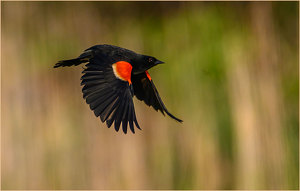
{"points": [[231, 74]]}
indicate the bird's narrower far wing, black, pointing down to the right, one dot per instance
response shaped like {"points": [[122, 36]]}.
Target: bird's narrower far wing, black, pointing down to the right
{"points": [[145, 90]]}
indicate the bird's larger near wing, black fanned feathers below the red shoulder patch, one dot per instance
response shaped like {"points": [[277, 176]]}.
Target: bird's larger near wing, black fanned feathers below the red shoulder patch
{"points": [[107, 95]]}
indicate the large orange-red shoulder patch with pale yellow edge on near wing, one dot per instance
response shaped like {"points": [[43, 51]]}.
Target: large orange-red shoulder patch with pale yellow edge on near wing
{"points": [[122, 70]]}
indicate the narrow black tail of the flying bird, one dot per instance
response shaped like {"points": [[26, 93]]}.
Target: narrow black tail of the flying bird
{"points": [[84, 57]]}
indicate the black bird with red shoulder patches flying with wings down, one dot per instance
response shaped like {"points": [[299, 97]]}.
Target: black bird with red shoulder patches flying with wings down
{"points": [[113, 75]]}
